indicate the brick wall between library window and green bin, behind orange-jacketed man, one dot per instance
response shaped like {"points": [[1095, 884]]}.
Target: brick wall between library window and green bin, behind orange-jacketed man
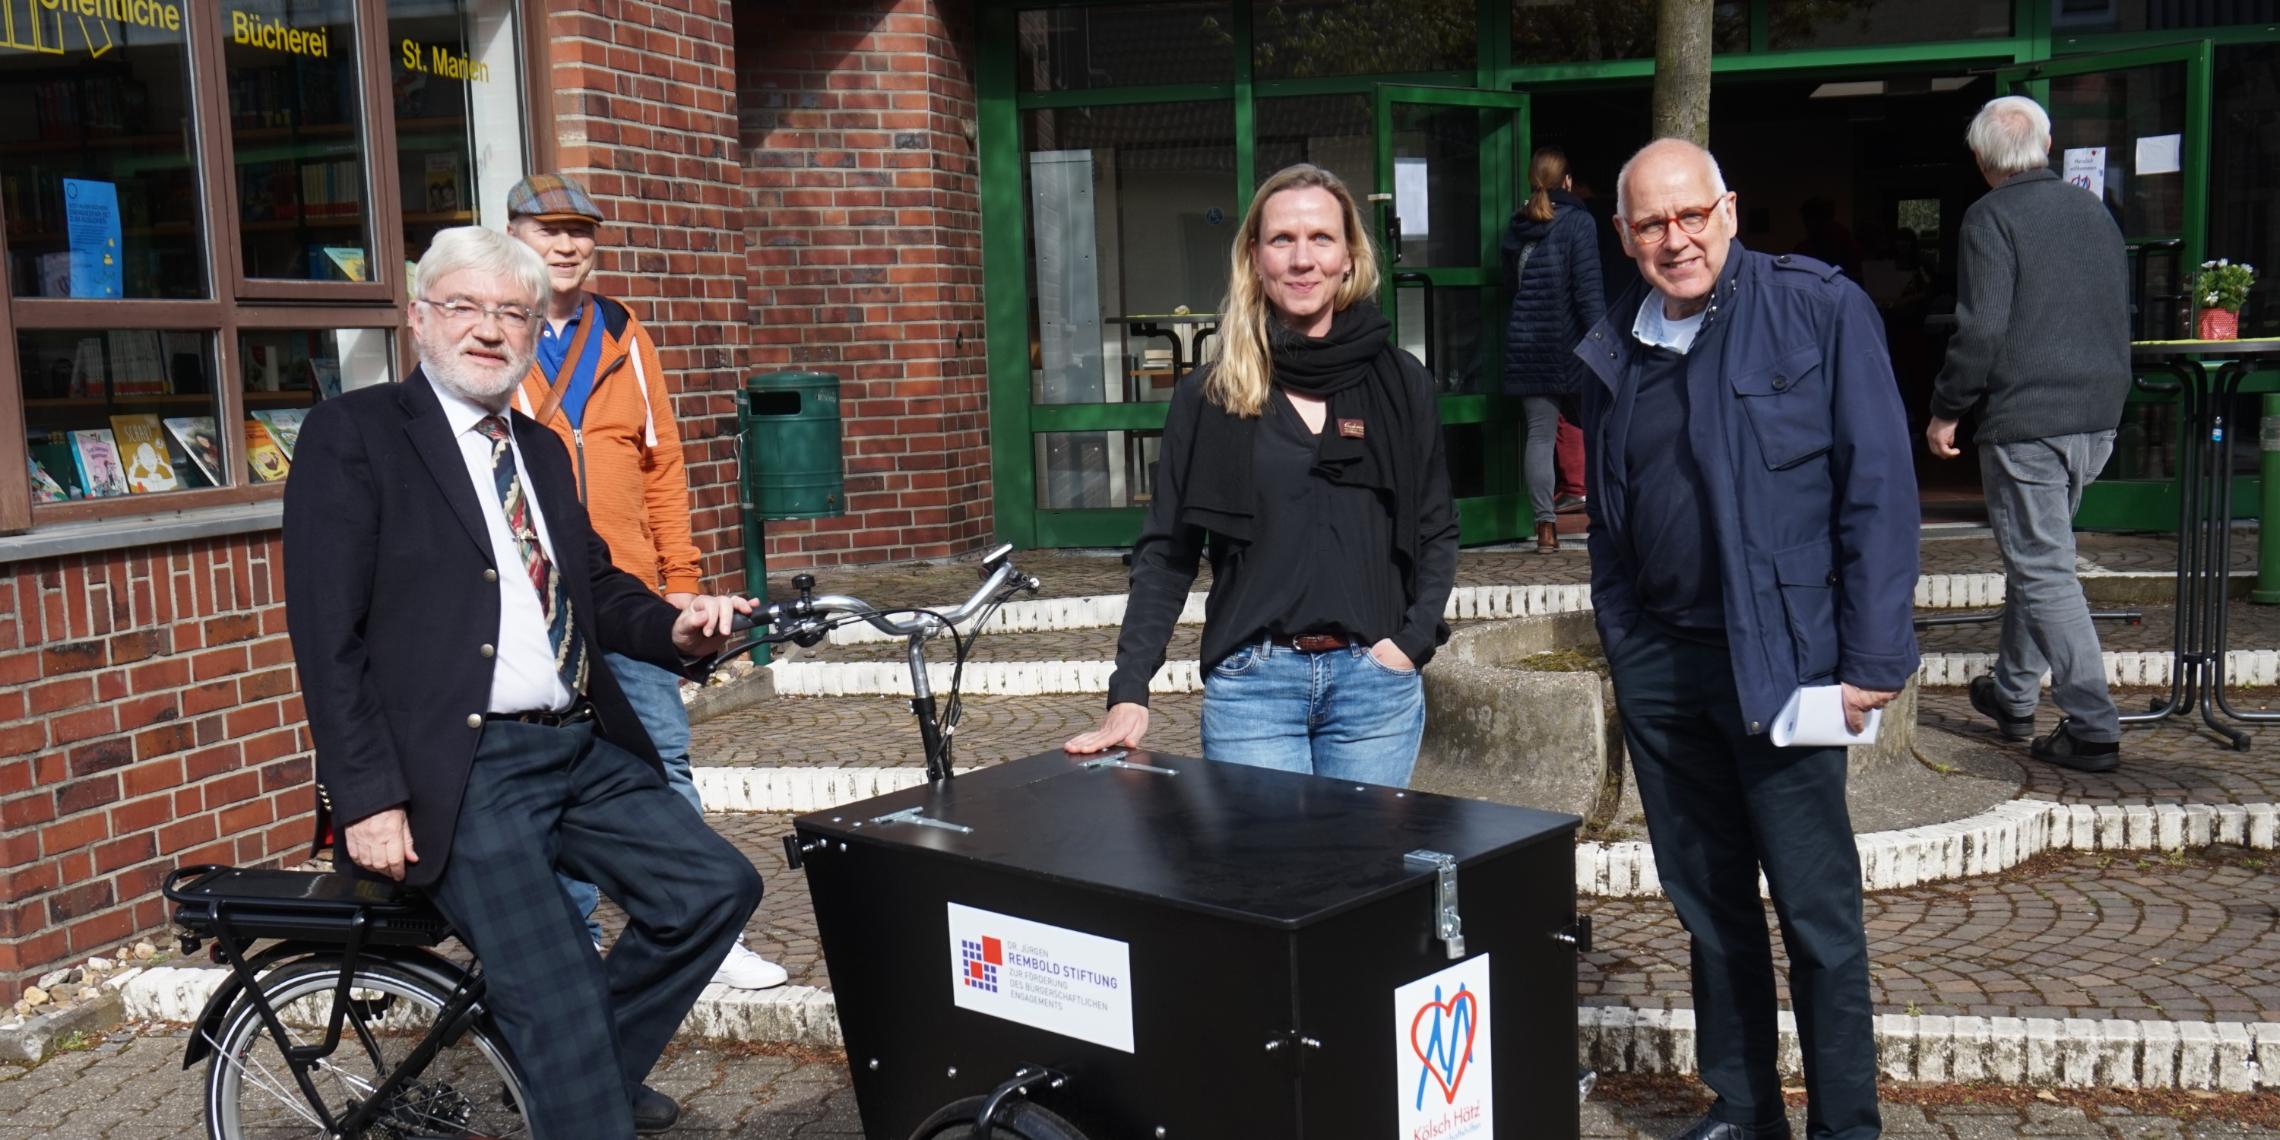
{"points": [[646, 120]]}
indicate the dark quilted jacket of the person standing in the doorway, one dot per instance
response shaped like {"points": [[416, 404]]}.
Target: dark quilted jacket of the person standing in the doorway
{"points": [[1554, 302]]}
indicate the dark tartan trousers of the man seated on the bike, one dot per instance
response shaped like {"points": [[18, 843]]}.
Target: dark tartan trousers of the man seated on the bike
{"points": [[587, 1032]]}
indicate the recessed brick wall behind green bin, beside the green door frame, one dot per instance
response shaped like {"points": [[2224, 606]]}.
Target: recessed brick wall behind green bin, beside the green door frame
{"points": [[863, 238]]}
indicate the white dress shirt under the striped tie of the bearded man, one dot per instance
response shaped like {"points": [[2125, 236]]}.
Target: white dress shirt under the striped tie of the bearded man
{"points": [[523, 674]]}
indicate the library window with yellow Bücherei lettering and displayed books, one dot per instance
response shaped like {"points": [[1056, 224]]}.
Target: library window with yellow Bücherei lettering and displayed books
{"points": [[247, 197]]}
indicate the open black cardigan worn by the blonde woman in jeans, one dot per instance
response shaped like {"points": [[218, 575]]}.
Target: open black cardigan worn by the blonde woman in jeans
{"points": [[1237, 610]]}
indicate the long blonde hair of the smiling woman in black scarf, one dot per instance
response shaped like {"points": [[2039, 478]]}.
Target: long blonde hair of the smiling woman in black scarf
{"points": [[1244, 373]]}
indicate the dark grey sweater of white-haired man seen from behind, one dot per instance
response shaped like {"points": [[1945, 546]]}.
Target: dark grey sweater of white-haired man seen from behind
{"points": [[2042, 316]]}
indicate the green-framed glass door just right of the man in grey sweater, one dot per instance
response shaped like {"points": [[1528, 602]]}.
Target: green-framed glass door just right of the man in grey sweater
{"points": [[2133, 129]]}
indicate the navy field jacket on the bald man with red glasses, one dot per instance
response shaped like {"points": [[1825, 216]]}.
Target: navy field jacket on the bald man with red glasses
{"points": [[1811, 487]]}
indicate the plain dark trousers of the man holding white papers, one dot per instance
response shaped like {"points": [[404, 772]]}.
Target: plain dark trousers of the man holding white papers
{"points": [[1723, 806]]}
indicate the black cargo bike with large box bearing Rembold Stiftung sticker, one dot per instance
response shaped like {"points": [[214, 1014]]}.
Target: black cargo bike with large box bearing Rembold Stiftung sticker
{"points": [[1125, 945]]}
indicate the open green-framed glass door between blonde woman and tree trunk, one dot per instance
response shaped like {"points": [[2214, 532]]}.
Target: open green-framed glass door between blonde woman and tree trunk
{"points": [[1449, 177]]}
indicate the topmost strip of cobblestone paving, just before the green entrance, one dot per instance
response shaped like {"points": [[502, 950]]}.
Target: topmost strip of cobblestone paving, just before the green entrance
{"points": [[1089, 573]]}
